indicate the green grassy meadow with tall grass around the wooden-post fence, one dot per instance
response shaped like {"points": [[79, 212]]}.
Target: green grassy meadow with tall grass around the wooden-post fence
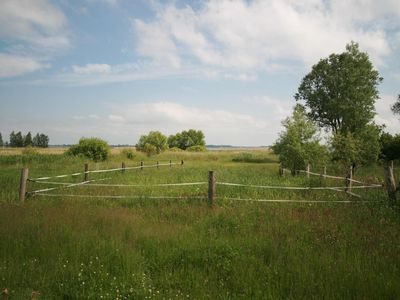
{"points": [[142, 248]]}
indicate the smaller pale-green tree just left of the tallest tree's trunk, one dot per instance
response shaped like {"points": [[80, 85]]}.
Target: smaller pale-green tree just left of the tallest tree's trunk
{"points": [[299, 144]]}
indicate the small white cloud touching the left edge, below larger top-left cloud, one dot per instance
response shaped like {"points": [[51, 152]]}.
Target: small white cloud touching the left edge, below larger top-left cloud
{"points": [[14, 65]]}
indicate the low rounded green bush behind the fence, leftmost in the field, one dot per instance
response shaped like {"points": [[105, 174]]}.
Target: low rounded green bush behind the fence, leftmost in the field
{"points": [[92, 148]]}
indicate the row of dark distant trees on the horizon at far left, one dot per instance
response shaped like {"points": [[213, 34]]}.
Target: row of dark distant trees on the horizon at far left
{"points": [[18, 140]]}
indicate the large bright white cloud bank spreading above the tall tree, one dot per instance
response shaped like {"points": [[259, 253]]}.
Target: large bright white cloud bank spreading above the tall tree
{"points": [[255, 35]]}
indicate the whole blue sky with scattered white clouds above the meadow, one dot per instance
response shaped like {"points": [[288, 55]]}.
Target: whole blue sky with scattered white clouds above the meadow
{"points": [[117, 69]]}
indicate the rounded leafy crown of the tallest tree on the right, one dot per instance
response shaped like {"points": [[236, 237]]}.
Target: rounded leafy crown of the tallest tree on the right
{"points": [[341, 91]]}
